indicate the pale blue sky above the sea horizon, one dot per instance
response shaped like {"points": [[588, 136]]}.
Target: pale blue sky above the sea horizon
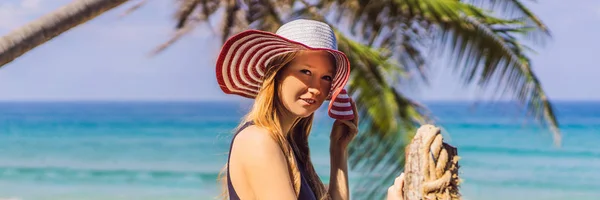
{"points": [[107, 58]]}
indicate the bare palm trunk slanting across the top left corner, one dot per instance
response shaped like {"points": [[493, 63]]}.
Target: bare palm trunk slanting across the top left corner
{"points": [[20, 41]]}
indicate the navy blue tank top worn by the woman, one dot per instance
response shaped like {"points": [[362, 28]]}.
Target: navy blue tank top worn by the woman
{"points": [[306, 192]]}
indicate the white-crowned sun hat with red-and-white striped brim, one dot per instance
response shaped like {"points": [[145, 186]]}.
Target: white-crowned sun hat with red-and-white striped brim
{"points": [[243, 59]]}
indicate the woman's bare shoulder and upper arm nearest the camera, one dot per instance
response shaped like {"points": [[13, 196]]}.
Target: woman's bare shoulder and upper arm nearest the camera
{"points": [[264, 173]]}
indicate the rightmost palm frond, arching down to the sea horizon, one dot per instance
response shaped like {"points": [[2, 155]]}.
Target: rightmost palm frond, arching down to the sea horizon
{"points": [[489, 57]]}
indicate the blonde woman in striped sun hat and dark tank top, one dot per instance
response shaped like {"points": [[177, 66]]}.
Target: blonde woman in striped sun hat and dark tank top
{"points": [[289, 74]]}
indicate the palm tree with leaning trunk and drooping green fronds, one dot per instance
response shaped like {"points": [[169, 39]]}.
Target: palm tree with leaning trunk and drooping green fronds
{"points": [[386, 42]]}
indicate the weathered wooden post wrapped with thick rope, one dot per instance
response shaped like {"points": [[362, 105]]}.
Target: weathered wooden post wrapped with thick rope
{"points": [[431, 170]]}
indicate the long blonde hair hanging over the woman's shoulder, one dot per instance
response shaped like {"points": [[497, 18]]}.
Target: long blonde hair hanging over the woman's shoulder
{"points": [[265, 114]]}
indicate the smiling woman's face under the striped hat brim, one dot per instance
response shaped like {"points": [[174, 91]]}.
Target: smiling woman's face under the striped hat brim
{"points": [[305, 82]]}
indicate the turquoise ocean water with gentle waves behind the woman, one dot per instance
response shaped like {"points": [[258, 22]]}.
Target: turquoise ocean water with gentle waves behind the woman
{"points": [[175, 151]]}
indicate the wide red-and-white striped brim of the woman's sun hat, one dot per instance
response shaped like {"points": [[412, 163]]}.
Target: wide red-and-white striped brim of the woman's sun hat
{"points": [[243, 59]]}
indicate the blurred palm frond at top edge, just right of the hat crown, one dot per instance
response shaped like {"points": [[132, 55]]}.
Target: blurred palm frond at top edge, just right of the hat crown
{"points": [[387, 25]]}
